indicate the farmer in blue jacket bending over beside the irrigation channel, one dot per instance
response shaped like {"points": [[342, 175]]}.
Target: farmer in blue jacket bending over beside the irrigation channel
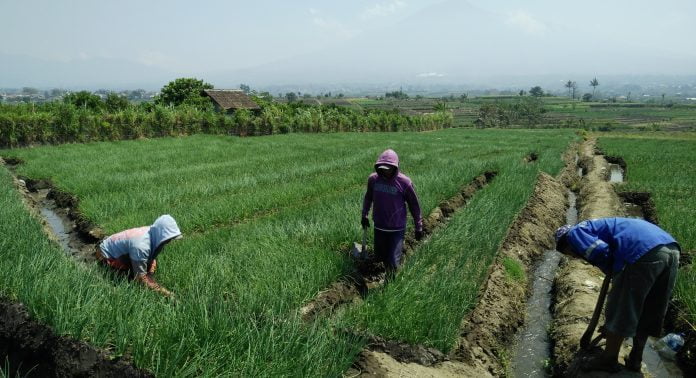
{"points": [[643, 260]]}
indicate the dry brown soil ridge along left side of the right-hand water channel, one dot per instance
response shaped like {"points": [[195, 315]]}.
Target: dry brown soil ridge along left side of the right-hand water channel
{"points": [[488, 331]]}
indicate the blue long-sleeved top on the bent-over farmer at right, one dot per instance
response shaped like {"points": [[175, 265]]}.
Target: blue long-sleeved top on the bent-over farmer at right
{"points": [[621, 240]]}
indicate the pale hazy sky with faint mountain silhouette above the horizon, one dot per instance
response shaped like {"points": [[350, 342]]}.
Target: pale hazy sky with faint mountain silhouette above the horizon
{"points": [[54, 42]]}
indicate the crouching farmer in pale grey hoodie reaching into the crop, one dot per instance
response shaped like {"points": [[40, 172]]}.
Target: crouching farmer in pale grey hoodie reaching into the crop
{"points": [[135, 250]]}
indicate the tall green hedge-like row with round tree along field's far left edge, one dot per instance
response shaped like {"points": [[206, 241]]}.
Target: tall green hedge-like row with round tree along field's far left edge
{"points": [[84, 117]]}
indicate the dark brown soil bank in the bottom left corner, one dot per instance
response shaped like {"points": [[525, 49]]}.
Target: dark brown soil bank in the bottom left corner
{"points": [[33, 350]]}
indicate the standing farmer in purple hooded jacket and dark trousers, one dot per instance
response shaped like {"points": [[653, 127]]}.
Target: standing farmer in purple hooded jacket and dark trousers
{"points": [[390, 191]]}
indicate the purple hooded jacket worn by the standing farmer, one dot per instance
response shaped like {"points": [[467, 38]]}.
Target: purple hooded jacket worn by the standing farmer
{"points": [[390, 197]]}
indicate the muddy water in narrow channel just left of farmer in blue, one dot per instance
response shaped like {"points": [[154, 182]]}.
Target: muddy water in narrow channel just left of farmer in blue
{"points": [[532, 351]]}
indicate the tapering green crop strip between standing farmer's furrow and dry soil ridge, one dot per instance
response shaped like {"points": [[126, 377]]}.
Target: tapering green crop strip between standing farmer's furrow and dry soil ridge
{"points": [[428, 299]]}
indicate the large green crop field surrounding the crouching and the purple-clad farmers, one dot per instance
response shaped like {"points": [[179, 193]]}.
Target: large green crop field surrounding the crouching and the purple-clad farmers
{"points": [[263, 219]]}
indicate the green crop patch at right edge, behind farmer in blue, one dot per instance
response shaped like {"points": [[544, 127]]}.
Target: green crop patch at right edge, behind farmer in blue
{"points": [[664, 166]]}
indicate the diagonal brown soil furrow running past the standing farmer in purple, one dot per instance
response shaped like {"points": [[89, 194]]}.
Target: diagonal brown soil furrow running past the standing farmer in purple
{"points": [[370, 273]]}
